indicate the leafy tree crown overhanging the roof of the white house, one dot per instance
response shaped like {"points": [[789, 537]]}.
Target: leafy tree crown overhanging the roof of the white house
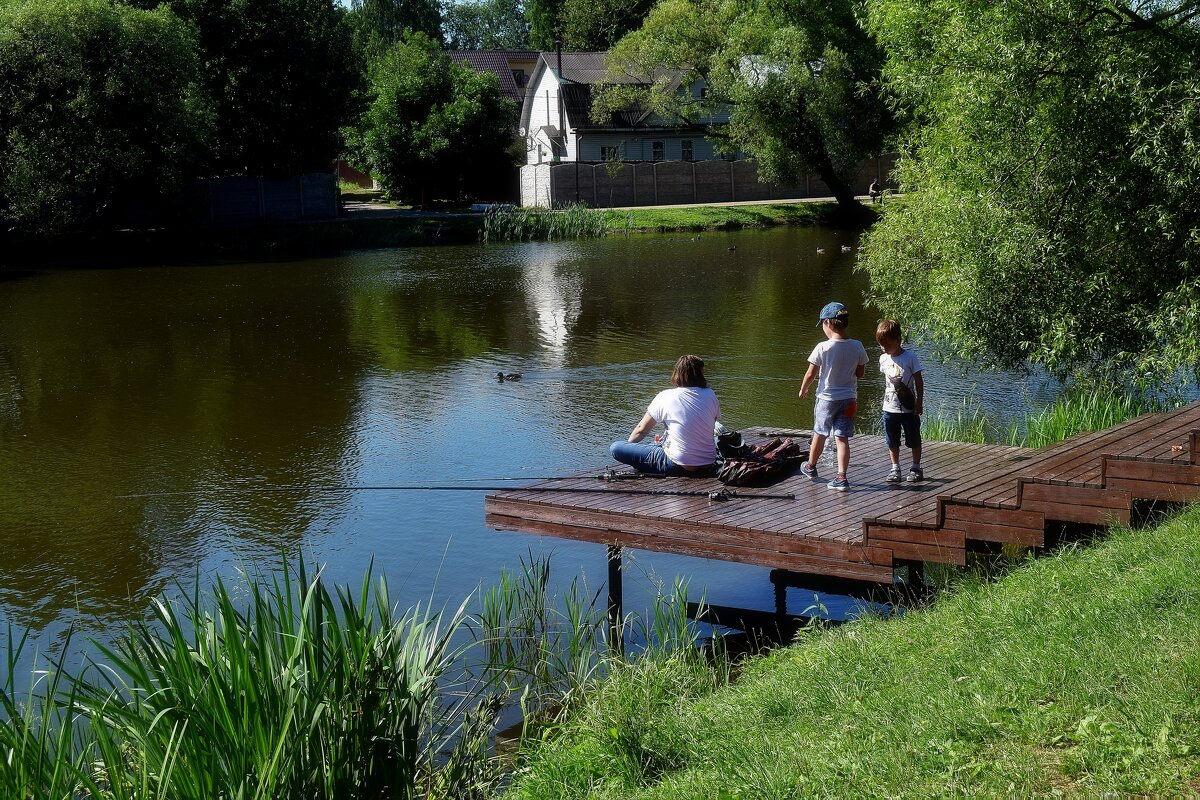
{"points": [[799, 77]]}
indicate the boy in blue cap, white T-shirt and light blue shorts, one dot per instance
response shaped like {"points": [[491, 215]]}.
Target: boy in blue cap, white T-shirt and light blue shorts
{"points": [[837, 365]]}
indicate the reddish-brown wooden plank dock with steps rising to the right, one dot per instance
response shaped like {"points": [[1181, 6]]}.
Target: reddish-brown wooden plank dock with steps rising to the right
{"points": [[973, 495]]}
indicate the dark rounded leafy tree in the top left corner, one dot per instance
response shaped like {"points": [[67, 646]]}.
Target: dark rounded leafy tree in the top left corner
{"points": [[103, 109]]}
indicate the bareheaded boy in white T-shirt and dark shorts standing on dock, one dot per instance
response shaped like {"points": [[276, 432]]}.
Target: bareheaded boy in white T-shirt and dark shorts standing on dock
{"points": [[904, 399]]}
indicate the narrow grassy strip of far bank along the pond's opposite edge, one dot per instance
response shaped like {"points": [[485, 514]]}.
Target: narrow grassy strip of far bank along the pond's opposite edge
{"points": [[364, 232]]}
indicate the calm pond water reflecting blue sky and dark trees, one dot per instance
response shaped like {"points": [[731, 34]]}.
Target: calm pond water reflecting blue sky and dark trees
{"points": [[379, 368]]}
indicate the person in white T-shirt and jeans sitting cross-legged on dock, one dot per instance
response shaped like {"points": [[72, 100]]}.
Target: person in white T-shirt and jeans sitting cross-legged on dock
{"points": [[689, 412]]}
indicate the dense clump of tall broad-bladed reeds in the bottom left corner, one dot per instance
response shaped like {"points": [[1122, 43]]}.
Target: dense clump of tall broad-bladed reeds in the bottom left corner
{"points": [[297, 693]]}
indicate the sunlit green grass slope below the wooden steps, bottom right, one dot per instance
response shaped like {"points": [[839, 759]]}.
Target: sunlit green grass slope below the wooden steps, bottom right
{"points": [[1076, 675]]}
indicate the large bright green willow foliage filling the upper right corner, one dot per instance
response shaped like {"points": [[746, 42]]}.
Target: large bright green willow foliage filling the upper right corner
{"points": [[1052, 215]]}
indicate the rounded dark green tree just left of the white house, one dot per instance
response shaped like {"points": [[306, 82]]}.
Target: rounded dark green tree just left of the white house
{"points": [[433, 125]]}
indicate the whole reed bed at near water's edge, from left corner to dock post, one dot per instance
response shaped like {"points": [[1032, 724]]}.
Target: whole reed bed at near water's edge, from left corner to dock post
{"points": [[284, 687]]}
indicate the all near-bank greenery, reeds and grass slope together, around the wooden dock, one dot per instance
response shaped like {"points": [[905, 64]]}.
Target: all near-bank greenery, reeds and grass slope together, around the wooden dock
{"points": [[1069, 675]]}
